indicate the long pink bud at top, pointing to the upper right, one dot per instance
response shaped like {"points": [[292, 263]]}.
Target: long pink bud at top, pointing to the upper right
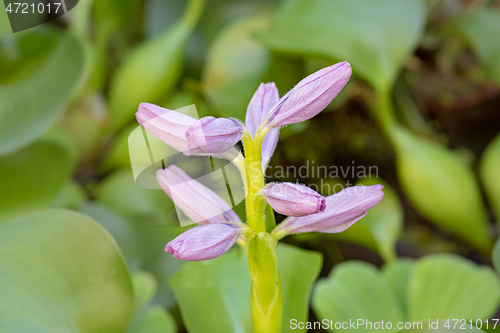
{"points": [[310, 96]]}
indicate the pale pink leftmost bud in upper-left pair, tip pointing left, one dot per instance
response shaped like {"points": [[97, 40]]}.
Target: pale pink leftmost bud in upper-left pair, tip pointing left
{"points": [[167, 125]]}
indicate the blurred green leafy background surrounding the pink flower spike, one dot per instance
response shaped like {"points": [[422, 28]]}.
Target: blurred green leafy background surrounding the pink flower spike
{"points": [[81, 245]]}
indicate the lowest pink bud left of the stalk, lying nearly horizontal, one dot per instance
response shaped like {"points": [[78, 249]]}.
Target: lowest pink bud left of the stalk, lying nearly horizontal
{"points": [[204, 242]]}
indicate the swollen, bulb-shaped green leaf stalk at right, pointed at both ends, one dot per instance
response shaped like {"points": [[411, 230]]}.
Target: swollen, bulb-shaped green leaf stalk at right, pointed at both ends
{"points": [[442, 188]]}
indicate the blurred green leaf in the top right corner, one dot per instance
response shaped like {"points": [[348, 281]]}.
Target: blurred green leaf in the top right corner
{"points": [[480, 29]]}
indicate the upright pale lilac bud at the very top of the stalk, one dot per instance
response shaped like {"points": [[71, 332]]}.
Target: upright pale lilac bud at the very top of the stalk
{"points": [[264, 98]]}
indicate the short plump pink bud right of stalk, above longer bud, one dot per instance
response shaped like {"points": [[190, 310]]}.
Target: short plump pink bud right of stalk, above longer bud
{"points": [[293, 199]]}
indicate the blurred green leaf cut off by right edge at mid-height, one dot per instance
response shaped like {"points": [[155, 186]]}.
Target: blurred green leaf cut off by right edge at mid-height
{"points": [[488, 170]]}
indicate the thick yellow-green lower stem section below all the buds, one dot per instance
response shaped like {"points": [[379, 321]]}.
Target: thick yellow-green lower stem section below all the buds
{"points": [[266, 293]]}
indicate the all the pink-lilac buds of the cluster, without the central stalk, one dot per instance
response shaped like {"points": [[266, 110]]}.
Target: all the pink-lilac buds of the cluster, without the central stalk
{"points": [[219, 226]]}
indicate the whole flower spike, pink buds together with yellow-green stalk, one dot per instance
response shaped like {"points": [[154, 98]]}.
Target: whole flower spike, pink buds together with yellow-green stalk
{"points": [[218, 225]]}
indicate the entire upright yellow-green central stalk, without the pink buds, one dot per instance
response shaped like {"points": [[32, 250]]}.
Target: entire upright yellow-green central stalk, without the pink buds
{"points": [[261, 248]]}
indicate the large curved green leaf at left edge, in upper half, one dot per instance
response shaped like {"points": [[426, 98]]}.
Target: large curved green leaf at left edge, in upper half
{"points": [[28, 108]]}
